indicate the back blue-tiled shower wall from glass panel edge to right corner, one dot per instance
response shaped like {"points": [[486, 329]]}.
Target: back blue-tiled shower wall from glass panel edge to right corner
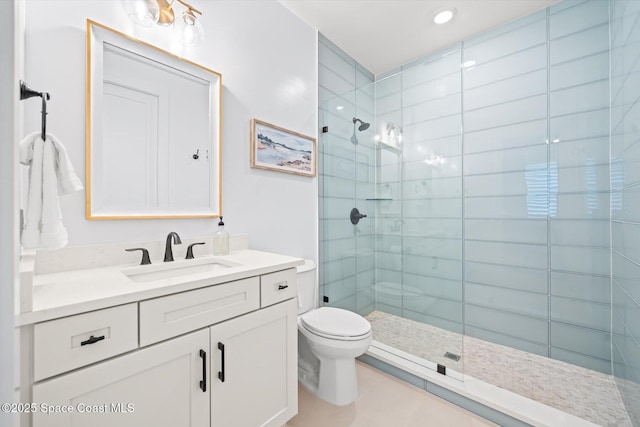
{"points": [[536, 214]]}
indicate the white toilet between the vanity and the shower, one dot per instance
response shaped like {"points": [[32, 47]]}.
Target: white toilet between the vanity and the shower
{"points": [[329, 340]]}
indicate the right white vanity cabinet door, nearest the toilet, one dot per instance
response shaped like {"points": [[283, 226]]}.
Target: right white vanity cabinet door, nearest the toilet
{"points": [[254, 368]]}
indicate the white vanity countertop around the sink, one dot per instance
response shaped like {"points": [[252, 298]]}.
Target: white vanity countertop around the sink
{"points": [[72, 292]]}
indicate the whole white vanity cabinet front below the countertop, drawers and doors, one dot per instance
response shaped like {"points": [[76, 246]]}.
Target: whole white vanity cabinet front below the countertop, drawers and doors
{"points": [[219, 356]]}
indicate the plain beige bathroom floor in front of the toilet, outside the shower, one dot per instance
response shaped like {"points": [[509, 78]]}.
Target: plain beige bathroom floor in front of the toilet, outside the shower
{"points": [[383, 401]]}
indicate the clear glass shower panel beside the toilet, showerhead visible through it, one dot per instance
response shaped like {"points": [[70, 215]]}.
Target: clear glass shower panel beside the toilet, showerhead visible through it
{"points": [[400, 266]]}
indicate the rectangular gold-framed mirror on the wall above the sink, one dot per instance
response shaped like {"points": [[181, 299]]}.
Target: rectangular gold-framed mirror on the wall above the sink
{"points": [[153, 139]]}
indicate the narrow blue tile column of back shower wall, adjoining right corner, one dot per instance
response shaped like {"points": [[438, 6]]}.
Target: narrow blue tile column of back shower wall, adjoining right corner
{"points": [[579, 117]]}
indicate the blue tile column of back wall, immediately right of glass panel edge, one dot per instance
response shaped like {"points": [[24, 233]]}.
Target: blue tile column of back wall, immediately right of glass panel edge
{"points": [[505, 84]]}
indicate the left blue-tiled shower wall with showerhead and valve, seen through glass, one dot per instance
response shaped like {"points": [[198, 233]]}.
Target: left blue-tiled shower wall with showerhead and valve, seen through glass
{"points": [[347, 182]]}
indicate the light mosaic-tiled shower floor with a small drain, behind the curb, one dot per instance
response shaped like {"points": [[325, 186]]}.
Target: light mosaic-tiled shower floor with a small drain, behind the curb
{"points": [[587, 394]]}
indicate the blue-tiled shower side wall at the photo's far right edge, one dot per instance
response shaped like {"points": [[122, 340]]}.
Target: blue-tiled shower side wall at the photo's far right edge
{"points": [[625, 200]]}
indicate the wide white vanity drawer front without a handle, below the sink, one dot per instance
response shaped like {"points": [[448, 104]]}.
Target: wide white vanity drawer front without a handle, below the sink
{"points": [[173, 315]]}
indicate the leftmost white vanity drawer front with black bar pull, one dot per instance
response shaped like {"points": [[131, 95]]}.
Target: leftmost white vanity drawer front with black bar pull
{"points": [[64, 344]]}
